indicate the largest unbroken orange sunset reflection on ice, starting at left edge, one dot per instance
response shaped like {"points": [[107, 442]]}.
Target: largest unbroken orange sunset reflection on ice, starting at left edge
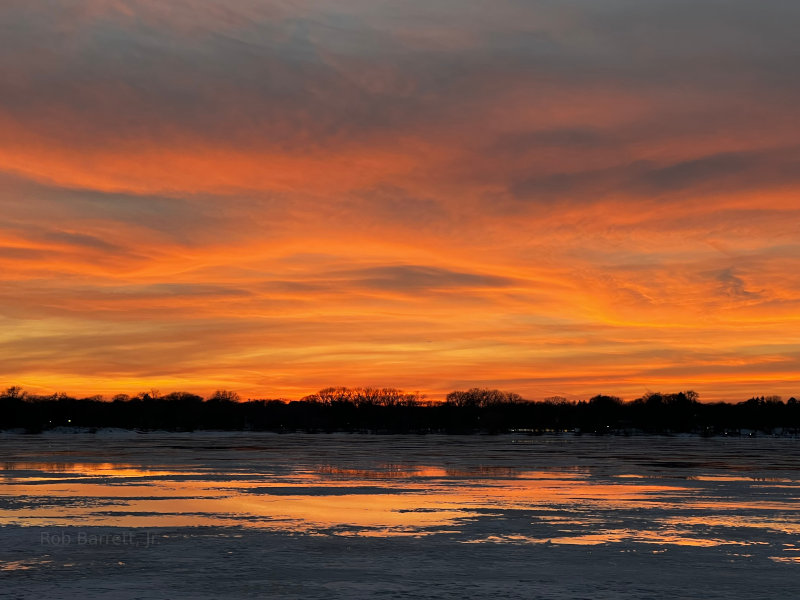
{"points": [[402, 499]]}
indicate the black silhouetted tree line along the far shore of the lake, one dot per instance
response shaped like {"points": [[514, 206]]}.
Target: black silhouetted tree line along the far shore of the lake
{"points": [[388, 410]]}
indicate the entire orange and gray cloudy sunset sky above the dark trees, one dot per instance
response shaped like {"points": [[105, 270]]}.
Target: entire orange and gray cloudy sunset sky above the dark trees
{"points": [[549, 197]]}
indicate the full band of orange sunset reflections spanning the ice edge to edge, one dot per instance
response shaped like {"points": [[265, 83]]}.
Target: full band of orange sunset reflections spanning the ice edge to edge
{"points": [[389, 500]]}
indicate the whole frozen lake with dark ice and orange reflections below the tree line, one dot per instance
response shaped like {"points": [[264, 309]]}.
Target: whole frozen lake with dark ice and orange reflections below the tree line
{"points": [[247, 515]]}
